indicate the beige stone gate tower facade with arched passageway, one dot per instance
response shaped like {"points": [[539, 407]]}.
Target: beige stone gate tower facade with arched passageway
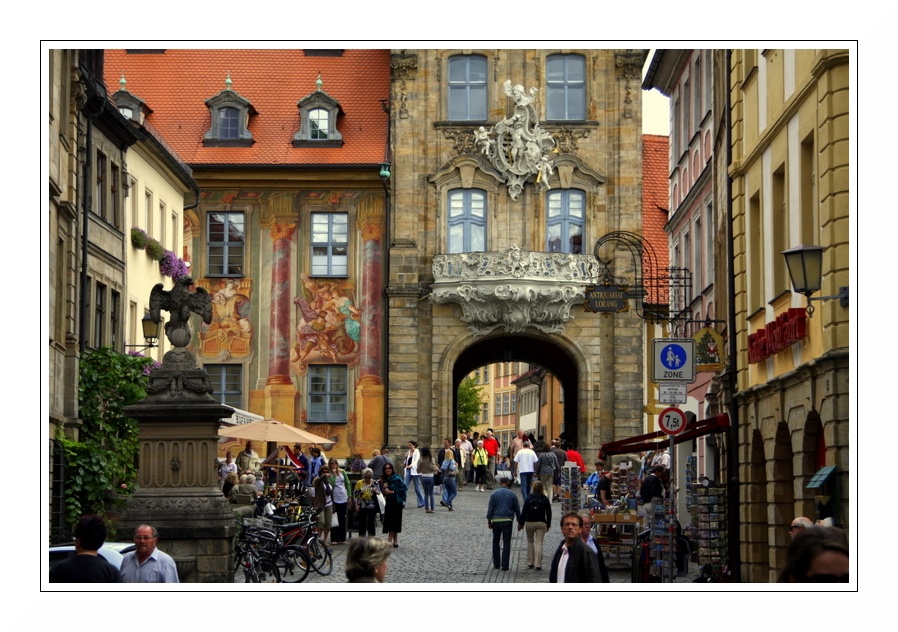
{"points": [[598, 358]]}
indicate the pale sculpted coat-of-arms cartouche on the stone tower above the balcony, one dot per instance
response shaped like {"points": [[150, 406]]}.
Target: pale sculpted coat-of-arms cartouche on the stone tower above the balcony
{"points": [[517, 146]]}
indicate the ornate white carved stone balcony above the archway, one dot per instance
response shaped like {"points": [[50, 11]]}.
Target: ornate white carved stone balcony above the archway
{"points": [[515, 289]]}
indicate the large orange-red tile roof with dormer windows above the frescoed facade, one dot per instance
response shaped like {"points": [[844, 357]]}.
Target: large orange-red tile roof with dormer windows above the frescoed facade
{"points": [[177, 83]]}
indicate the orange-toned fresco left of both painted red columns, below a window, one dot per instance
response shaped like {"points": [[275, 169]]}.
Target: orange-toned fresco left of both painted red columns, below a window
{"points": [[230, 334]]}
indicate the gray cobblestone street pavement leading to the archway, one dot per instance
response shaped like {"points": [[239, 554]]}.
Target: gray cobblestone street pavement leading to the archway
{"points": [[429, 540]]}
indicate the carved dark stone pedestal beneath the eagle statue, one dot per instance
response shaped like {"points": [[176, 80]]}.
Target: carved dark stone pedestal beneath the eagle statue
{"points": [[178, 492]]}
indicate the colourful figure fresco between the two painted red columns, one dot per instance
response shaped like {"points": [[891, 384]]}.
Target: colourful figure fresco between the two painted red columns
{"points": [[328, 325]]}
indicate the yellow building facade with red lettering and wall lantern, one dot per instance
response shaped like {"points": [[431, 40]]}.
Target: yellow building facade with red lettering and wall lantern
{"points": [[790, 171]]}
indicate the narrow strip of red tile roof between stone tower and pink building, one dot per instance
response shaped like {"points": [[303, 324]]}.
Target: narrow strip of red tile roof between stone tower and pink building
{"points": [[655, 197]]}
